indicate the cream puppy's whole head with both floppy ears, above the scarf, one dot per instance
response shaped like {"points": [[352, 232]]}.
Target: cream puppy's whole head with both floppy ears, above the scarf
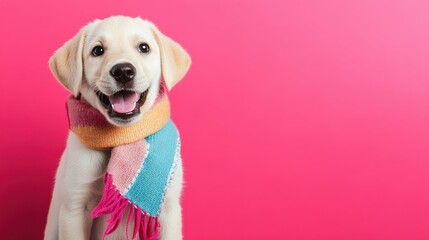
{"points": [[116, 65]]}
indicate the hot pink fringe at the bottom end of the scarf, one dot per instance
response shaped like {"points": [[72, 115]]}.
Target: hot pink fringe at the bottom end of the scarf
{"points": [[113, 203]]}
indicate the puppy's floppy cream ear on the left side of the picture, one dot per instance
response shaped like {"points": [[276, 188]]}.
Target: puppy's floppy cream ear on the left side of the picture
{"points": [[66, 63]]}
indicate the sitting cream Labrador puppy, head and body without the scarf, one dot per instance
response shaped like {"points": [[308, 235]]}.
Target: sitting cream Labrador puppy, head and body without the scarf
{"points": [[86, 65]]}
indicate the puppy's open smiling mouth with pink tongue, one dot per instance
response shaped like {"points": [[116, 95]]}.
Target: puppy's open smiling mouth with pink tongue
{"points": [[123, 104]]}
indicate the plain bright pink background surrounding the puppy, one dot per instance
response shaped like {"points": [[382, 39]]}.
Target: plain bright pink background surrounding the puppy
{"points": [[299, 119]]}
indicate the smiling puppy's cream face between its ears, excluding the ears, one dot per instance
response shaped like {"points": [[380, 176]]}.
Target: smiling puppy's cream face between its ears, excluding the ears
{"points": [[122, 69]]}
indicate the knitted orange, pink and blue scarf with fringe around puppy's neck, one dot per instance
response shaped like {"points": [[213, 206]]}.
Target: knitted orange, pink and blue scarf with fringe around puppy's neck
{"points": [[143, 158]]}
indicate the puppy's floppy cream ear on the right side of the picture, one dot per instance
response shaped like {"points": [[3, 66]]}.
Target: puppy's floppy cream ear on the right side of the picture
{"points": [[175, 61]]}
